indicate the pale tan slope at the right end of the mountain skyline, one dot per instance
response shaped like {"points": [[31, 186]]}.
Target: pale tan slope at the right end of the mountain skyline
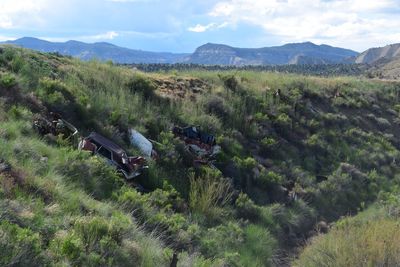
{"points": [[374, 54]]}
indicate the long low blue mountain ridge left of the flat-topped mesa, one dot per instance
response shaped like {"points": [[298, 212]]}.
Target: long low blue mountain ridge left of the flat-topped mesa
{"points": [[102, 51]]}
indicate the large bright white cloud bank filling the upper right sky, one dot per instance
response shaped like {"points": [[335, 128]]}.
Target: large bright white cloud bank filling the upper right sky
{"points": [[360, 23]]}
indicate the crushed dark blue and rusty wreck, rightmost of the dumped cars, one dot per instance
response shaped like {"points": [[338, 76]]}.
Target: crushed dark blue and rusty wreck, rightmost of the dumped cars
{"points": [[201, 145]]}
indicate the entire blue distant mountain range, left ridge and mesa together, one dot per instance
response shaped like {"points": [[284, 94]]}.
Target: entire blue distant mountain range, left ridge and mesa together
{"points": [[208, 54]]}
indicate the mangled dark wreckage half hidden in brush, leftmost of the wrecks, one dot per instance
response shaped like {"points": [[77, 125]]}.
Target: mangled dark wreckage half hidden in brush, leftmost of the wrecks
{"points": [[54, 125]]}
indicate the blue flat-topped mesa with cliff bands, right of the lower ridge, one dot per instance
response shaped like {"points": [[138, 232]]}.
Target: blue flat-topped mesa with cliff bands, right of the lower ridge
{"points": [[301, 53]]}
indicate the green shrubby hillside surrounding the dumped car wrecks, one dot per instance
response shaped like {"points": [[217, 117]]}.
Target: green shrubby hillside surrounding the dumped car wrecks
{"points": [[297, 153]]}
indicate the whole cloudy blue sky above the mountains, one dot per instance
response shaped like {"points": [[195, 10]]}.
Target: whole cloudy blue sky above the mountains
{"points": [[183, 25]]}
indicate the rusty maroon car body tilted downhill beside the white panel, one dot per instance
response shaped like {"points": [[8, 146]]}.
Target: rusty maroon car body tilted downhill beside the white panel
{"points": [[130, 167]]}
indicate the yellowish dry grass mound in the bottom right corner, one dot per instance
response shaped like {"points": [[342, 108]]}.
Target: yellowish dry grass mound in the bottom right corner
{"points": [[371, 244]]}
